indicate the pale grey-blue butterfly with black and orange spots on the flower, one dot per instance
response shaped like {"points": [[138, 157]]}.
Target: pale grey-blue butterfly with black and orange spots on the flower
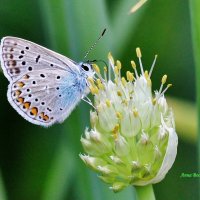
{"points": [[44, 86]]}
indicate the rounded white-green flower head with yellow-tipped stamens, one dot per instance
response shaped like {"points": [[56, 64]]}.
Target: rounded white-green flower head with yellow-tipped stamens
{"points": [[132, 140]]}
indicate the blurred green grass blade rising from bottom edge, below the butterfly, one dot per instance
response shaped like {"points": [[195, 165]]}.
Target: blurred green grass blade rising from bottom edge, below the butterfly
{"points": [[60, 174]]}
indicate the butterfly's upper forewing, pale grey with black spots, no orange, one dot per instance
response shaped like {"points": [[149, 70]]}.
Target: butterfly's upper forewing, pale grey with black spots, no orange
{"points": [[19, 56]]}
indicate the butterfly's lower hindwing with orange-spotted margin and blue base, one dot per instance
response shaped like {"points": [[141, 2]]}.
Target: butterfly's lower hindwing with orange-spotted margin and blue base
{"points": [[47, 96]]}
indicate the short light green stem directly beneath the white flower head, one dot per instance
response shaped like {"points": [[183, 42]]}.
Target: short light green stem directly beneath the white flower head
{"points": [[145, 192]]}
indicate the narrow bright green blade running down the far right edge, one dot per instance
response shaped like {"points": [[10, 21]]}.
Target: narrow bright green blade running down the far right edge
{"points": [[195, 22]]}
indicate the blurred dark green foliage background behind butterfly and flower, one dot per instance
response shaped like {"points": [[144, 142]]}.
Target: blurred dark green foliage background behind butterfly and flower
{"points": [[43, 163]]}
